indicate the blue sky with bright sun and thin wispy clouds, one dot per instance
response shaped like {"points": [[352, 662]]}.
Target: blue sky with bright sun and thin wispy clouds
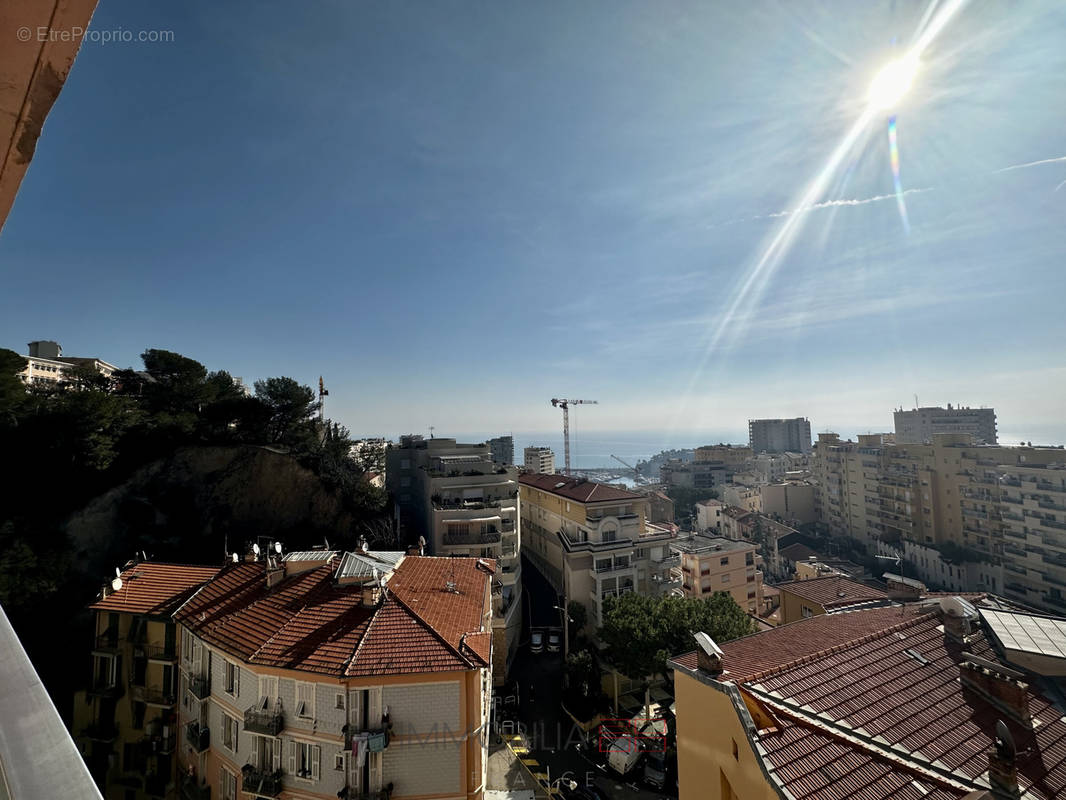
{"points": [[457, 212]]}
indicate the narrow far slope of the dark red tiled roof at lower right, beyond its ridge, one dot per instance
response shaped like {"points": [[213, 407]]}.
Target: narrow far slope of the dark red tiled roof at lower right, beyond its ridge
{"points": [[786, 644]]}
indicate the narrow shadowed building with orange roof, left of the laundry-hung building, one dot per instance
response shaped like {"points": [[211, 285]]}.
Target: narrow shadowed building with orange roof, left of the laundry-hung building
{"points": [[125, 723]]}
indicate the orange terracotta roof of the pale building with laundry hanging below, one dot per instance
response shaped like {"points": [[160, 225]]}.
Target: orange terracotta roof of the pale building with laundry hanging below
{"points": [[310, 622]]}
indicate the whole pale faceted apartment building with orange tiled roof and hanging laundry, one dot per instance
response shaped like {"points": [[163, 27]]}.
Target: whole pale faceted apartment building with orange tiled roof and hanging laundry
{"points": [[337, 676]]}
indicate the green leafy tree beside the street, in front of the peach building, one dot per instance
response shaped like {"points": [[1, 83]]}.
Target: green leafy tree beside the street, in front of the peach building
{"points": [[642, 632]]}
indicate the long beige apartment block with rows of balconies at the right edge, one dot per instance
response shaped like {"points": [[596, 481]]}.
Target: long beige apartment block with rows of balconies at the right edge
{"points": [[1004, 505]]}
